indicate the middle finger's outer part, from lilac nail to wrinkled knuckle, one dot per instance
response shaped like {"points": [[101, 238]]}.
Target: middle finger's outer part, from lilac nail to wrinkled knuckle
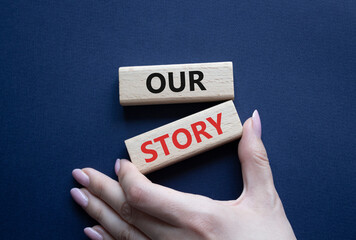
{"points": [[102, 186]]}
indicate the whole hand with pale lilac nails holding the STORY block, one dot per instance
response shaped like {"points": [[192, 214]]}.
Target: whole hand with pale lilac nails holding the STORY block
{"points": [[136, 208]]}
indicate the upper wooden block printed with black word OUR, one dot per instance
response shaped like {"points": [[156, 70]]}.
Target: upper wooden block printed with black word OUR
{"points": [[181, 83]]}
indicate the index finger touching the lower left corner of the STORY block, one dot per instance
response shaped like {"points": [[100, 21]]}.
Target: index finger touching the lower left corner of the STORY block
{"points": [[164, 203]]}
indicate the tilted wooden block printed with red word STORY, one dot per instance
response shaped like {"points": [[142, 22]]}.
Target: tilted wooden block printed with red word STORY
{"points": [[184, 138]]}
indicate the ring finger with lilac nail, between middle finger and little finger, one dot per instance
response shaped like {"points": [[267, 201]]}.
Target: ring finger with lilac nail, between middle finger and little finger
{"points": [[105, 215]]}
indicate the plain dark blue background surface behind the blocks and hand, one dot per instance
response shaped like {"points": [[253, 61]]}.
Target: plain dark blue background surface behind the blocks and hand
{"points": [[295, 61]]}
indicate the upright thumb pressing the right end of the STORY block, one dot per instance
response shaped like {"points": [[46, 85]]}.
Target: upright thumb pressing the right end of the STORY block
{"points": [[256, 171]]}
